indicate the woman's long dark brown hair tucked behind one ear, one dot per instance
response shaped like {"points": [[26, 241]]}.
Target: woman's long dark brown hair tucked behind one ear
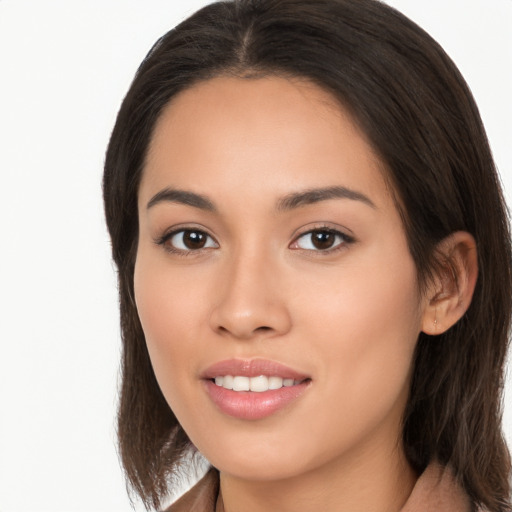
{"points": [[418, 113]]}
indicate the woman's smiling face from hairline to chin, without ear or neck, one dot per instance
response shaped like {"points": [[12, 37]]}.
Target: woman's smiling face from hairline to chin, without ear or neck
{"points": [[272, 261]]}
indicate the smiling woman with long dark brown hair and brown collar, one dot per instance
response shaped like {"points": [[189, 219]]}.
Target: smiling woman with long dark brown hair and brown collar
{"points": [[314, 266]]}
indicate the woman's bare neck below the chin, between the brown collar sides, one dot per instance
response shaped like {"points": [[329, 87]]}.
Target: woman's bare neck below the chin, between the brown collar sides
{"points": [[380, 483]]}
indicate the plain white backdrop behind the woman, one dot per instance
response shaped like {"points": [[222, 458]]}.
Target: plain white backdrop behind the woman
{"points": [[64, 69]]}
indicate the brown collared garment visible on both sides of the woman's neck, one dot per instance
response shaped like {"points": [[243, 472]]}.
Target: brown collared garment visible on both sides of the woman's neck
{"points": [[435, 491]]}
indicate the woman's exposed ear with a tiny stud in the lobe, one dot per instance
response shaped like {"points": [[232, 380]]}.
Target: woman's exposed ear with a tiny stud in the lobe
{"points": [[449, 295]]}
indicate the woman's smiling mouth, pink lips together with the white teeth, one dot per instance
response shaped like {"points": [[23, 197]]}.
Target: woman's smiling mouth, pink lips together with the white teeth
{"points": [[253, 389]]}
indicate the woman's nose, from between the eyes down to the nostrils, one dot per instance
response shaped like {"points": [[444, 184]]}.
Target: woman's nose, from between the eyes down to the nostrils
{"points": [[250, 303]]}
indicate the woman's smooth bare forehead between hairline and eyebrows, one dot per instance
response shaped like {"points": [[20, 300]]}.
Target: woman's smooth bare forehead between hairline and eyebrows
{"points": [[265, 133]]}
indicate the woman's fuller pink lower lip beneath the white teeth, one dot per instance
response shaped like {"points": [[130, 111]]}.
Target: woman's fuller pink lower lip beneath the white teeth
{"points": [[250, 405]]}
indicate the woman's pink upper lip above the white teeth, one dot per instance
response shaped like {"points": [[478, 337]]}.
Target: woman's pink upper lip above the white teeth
{"points": [[252, 368]]}
